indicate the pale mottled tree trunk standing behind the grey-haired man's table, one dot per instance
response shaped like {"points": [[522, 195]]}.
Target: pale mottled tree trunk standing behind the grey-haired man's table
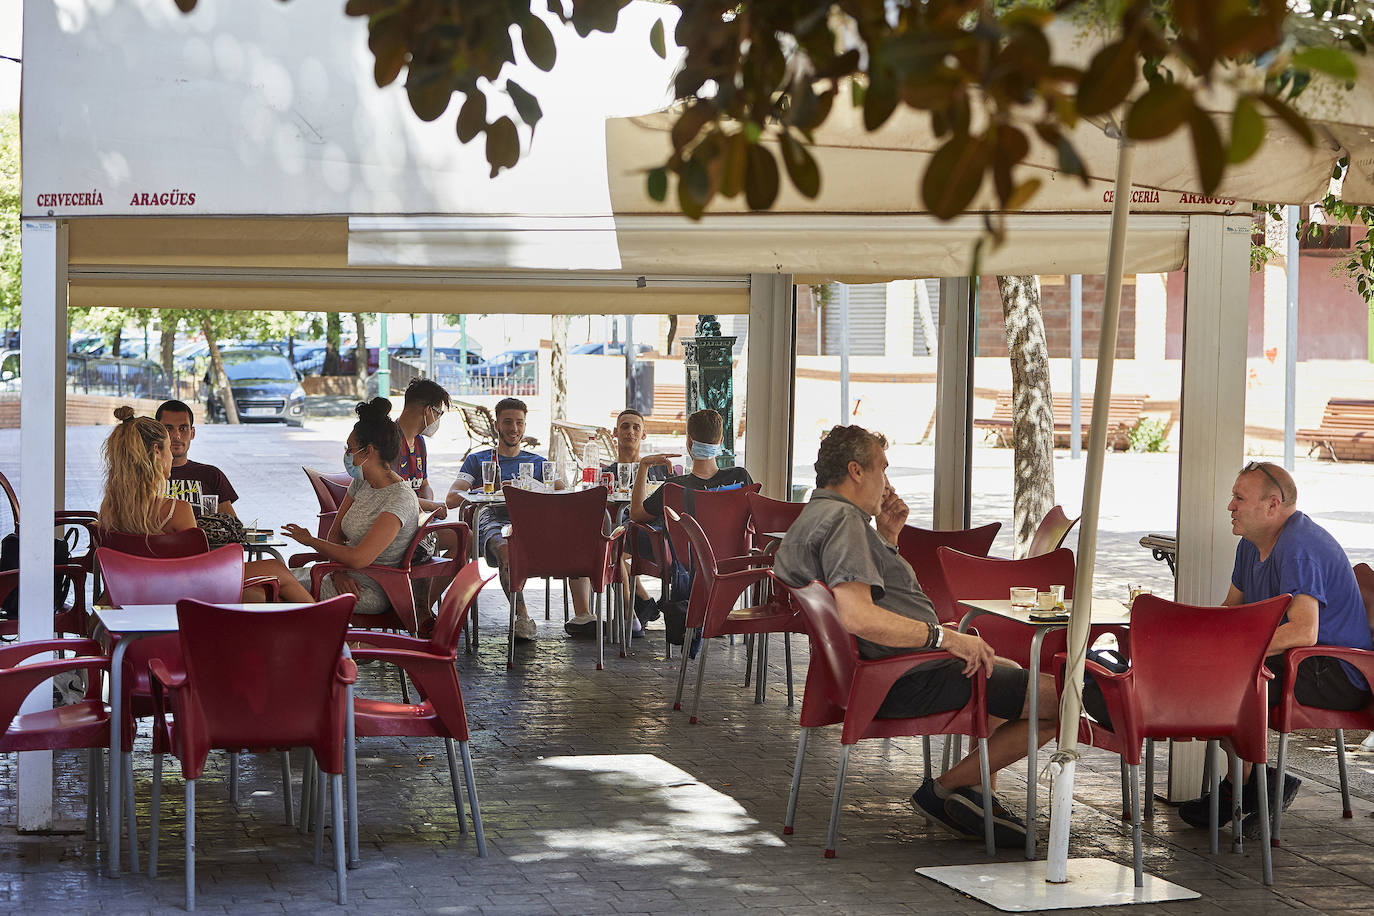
{"points": [[1033, 409]]}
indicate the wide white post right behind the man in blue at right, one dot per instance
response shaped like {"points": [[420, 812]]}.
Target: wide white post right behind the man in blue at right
{"points": [[1213, 431]]}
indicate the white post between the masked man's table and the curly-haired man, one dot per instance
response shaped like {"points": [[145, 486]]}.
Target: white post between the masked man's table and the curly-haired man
{"points": [[772, 382]]}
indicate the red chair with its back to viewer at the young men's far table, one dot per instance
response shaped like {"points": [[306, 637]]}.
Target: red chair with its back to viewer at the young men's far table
{"points": [[560, 536]]}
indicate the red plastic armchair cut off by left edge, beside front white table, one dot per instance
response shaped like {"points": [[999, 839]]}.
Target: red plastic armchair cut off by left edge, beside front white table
{"points": [[83, 726]]}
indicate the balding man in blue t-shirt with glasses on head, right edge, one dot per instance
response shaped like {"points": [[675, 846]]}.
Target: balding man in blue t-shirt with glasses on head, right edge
{"points": [[1285, 553]]}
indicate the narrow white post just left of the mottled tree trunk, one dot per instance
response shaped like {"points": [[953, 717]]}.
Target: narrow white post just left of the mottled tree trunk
{"points": [[954, 406]]}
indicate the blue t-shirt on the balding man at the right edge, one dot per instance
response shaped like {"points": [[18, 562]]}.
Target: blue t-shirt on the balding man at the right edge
{"points": [[1307, 561]]}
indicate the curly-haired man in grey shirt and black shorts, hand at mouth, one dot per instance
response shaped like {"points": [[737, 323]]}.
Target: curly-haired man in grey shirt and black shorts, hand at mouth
{"points": [[883, 605]]}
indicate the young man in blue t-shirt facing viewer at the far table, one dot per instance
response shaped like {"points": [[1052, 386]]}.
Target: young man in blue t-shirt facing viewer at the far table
{"points": [[509, 457]]}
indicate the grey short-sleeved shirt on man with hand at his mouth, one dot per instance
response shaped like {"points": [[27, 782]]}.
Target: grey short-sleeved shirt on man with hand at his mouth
{"points": [[835, 542]]}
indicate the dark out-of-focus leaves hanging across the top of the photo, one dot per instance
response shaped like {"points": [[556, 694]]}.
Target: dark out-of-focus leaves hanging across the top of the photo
{"points": [[773, 71]]}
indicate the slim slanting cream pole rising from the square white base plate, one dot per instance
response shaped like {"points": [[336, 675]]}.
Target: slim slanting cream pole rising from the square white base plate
{"points": [[1071, 704]]}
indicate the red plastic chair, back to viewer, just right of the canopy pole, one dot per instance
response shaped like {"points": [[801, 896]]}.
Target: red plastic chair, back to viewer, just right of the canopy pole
{"points": [[1196, 674]]}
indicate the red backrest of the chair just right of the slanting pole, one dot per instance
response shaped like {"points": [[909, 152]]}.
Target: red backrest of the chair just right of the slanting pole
{"points": [[1196, 669]]}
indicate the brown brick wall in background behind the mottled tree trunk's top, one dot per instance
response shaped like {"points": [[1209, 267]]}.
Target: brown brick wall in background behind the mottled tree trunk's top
{"points": [[1055, 310]]}
